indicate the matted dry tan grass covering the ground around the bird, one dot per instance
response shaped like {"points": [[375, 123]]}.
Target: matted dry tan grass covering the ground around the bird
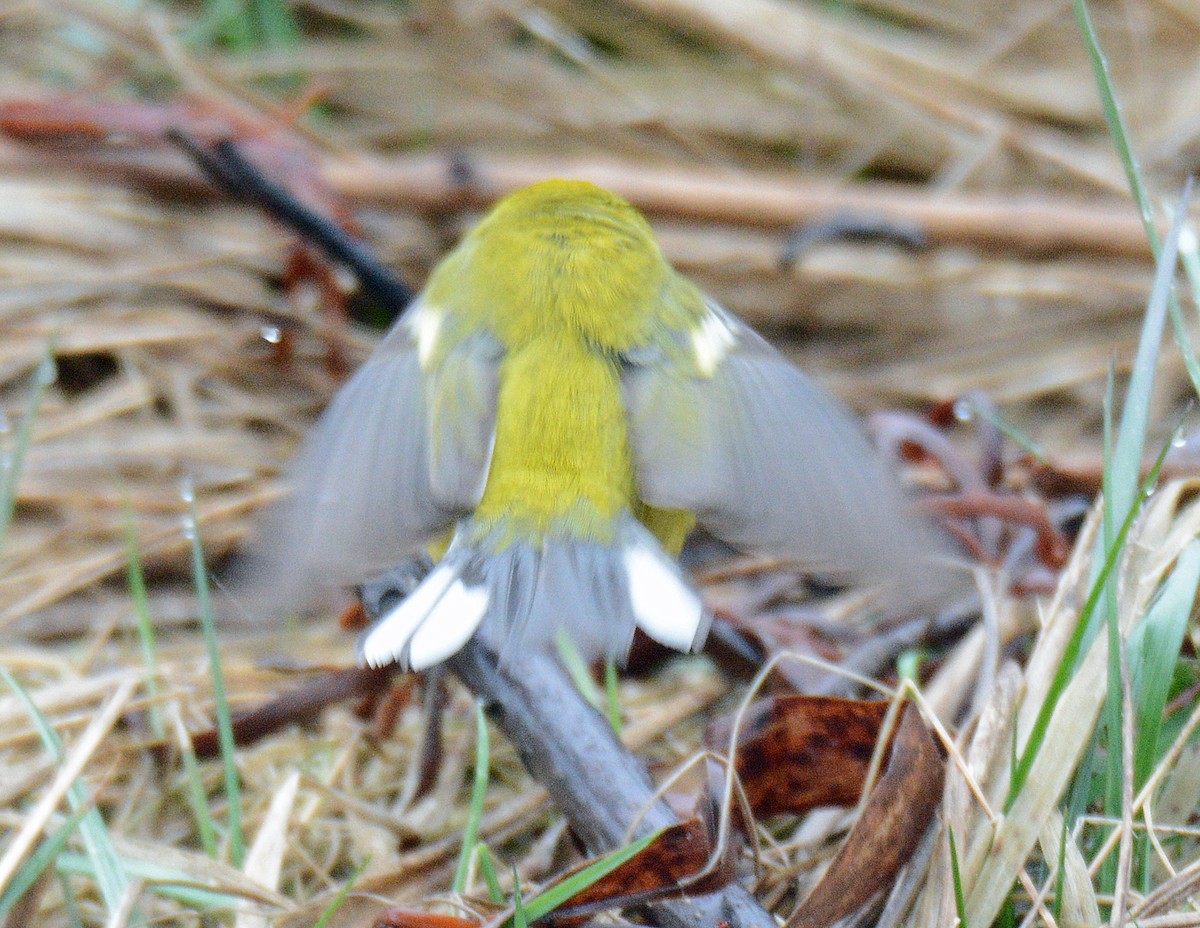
{"points": [[729, 123]]}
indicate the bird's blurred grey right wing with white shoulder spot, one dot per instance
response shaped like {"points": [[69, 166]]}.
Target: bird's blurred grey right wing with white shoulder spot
{"points": [[769, 462]]}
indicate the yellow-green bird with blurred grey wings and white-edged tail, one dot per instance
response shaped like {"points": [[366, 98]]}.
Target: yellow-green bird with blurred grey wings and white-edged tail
{"points": [[551, 417]]}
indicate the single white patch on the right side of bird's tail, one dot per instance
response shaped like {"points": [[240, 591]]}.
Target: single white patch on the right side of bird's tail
{"points": [[665, 608]]}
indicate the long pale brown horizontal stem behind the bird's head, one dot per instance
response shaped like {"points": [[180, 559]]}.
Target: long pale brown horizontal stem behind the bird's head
{"points": [[759, 200]]}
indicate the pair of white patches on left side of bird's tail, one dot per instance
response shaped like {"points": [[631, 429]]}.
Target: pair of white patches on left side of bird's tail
{"points": [[429, 626]]}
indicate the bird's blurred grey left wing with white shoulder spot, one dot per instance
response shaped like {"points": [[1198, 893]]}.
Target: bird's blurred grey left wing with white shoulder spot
{"points": [[376, 480]]}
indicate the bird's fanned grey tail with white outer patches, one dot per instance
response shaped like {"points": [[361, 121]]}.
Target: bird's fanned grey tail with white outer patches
{"points": [[521, 596]]}
